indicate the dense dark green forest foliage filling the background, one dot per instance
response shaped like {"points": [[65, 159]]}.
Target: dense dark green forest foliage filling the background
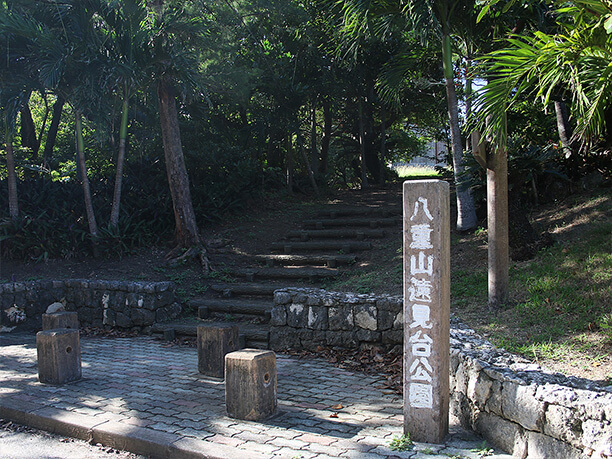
{"points": [[271, 95]]}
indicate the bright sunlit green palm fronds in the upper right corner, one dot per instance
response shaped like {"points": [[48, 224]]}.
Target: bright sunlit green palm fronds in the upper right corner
{"points": [[574, 62]]}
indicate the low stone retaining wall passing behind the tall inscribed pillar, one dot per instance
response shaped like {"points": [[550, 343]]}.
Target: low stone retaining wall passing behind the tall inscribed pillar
{"points": [[515, 405]]}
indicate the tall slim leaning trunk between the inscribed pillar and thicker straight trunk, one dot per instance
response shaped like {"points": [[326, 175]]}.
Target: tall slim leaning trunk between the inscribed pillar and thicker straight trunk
{"points": [[466, 210]]}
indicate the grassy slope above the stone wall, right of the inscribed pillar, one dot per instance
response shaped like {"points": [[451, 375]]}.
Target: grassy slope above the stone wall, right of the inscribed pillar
{"points": [[560, 305]]}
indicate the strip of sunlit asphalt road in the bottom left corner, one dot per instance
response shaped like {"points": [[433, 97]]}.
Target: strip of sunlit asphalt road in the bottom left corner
{"points": [[20, 442]]}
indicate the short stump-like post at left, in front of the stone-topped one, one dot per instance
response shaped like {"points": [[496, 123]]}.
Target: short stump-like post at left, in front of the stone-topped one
{"points": [[59, 356]]}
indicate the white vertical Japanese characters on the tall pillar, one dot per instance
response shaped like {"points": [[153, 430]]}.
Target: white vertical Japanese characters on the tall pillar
{"points": [[420, 371]]}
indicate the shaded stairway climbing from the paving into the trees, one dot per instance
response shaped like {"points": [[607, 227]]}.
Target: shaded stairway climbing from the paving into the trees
{"points": [[321, 251]]}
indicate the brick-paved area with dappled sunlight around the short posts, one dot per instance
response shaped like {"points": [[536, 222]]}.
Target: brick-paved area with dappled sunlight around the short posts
{"points": [[147, 397]]}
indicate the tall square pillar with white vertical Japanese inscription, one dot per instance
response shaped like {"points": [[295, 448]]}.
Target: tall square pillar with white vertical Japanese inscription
{"points": [[426, 309]]}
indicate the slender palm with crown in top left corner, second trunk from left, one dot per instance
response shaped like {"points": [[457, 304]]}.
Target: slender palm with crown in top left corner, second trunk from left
{"points": [[60, 48]]}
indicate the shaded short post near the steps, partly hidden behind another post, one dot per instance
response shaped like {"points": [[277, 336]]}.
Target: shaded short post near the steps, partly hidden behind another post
{"points": [[214, 342]]}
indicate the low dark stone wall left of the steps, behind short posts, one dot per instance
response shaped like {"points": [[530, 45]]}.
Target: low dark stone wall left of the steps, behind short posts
{"points": [[122, 304]]}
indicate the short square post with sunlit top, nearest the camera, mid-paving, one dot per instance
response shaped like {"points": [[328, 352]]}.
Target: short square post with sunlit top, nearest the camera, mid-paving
{"points": [[250, 384]]}
